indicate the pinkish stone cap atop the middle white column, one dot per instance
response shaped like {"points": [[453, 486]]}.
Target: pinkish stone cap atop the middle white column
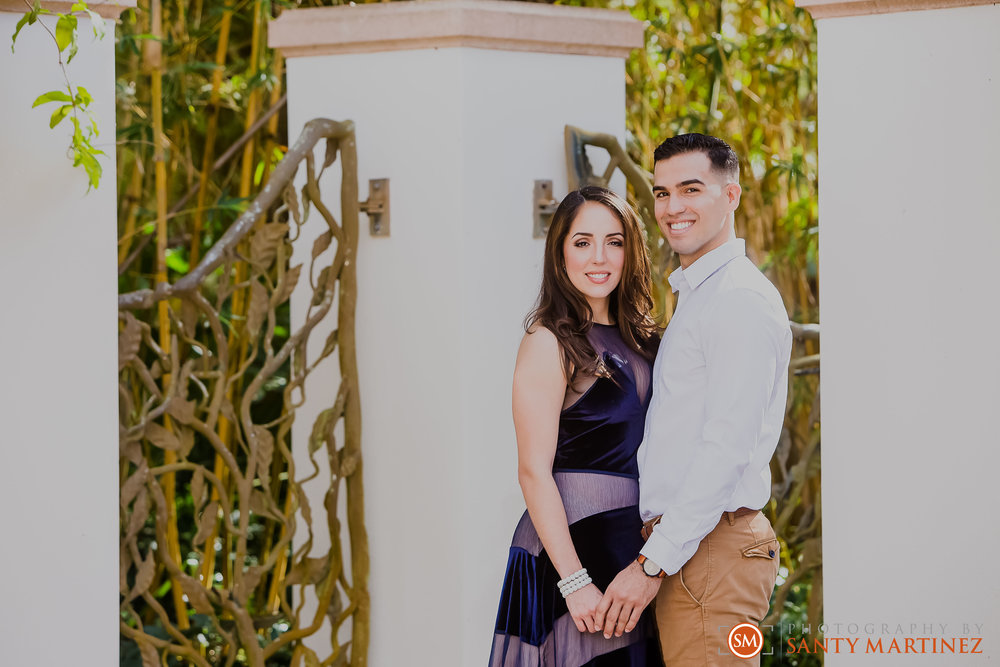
{"points": [[427, 24]]}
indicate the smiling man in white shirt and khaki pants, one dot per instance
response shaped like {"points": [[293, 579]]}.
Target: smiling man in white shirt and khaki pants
{"points": [[719, 389]]}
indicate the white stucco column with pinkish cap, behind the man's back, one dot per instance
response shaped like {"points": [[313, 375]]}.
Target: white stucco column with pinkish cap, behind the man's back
{"points": [[909, 98]]}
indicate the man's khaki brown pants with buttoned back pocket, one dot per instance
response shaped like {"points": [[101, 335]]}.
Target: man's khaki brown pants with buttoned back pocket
{"points": [[728, 581]]}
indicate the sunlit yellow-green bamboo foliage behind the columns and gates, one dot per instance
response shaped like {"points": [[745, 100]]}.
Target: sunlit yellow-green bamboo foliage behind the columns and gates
{"points": [[194, 77]]}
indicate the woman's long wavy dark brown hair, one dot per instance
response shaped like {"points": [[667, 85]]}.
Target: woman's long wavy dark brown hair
{"points": [[563, 310]]}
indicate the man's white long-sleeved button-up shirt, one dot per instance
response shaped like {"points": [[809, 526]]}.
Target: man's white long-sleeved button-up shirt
{"points": [[719, 386]]}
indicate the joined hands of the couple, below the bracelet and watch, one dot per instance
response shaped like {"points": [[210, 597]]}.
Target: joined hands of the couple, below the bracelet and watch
{"points": [[618, 610]]}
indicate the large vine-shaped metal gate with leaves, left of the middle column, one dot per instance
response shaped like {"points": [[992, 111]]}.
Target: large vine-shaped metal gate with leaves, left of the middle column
{"points": [[246, 583]]}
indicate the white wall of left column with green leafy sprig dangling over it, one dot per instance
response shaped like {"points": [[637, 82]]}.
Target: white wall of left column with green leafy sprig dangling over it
{"points": [[58, 397]]}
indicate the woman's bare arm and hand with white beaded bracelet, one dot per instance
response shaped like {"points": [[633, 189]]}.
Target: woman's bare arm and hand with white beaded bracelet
{"points": [[538, 394]]}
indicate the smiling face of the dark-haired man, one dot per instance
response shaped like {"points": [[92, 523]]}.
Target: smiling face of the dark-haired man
{"points": [[694, 204]]}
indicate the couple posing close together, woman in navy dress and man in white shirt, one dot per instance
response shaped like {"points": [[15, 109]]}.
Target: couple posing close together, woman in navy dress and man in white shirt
{"points": [[644, 463]]}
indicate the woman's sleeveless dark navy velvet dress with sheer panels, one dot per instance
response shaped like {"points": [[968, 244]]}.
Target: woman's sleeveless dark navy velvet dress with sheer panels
{"points": [[597, 475]]}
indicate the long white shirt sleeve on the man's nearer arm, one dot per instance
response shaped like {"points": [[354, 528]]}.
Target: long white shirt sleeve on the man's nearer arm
{"points": [[743, 341]]}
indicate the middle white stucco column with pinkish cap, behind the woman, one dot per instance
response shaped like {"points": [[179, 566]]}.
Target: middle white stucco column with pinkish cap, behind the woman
{"points": [[462, 105]]}
